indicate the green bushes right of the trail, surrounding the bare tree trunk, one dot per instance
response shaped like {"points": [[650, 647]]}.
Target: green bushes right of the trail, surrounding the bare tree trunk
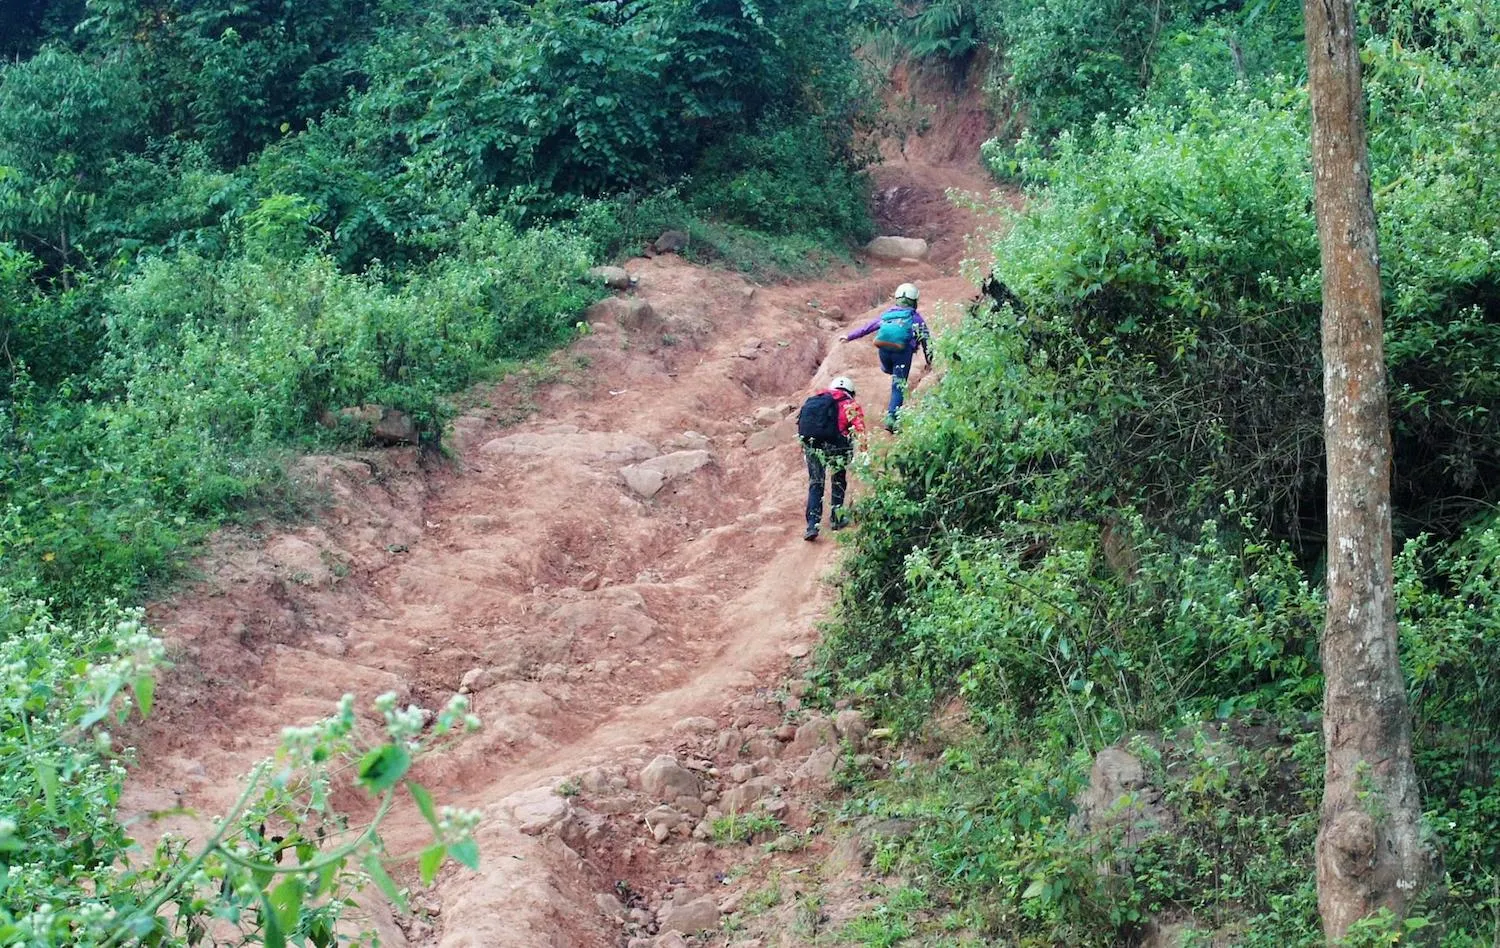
{"points": [[1105, 524]]}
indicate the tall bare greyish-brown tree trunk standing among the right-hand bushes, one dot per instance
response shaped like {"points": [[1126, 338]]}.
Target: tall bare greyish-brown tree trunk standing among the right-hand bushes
{"points": [[1370, 851]]}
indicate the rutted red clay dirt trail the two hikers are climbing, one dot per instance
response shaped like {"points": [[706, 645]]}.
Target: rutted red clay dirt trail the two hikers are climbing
{"points": [[596, 628]]}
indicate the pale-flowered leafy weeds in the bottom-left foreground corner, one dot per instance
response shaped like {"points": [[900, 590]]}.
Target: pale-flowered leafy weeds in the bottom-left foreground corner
{"points": [[280, 868]]}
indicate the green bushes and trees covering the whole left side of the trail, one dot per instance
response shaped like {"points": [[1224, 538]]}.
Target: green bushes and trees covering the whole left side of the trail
{"points": [[221, 224]]}
